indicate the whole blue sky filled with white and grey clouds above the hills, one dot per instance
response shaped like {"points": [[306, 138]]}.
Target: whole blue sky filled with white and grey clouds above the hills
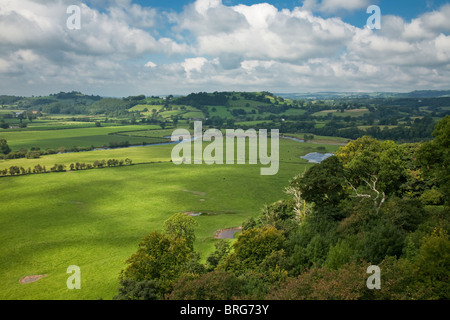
{"points": [[156, 47]]}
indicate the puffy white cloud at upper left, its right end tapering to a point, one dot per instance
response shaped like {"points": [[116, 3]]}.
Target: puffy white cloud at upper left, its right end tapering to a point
{"points": [[30, 24]]}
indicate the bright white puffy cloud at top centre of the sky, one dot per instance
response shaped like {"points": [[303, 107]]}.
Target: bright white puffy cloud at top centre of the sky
{"points": [[263, 32]]}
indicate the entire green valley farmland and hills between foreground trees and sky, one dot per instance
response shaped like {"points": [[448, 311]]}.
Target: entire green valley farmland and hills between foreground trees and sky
{"points": [[94, 216]]}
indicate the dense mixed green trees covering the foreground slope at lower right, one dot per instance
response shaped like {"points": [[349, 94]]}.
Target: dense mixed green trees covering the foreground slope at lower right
{"points": [[373, 203]]}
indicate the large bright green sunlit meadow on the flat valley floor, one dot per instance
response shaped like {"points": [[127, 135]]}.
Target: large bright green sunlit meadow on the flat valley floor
{"points": [[95, 218]]}
